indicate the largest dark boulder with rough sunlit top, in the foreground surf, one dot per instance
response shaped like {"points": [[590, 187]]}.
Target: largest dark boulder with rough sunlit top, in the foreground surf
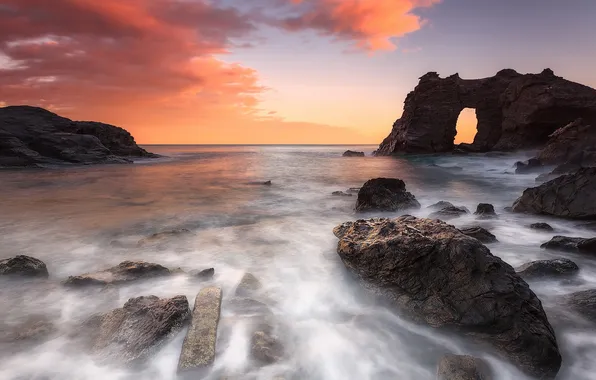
{"points": [[437, 275]]}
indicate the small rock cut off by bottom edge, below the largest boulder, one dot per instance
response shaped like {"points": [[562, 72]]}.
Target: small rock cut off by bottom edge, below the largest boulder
{"points": [[462, 367]]}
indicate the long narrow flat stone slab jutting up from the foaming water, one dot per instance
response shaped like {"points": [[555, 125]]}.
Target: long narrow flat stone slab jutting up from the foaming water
{"points": [[198, 349]]}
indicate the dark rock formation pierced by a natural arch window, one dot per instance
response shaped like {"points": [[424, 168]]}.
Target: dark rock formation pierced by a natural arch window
{"points": [[514, 111]]}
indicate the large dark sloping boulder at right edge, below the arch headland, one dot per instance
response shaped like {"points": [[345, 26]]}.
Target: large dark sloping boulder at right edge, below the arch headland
{"points": [[569, 196]]}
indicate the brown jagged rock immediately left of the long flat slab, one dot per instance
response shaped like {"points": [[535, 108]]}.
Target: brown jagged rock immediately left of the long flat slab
{"points": [[131, 334]]}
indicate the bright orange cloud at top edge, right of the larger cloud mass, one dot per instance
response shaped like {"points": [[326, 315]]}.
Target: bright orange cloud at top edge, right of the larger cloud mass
{"points": [[371, 24]]}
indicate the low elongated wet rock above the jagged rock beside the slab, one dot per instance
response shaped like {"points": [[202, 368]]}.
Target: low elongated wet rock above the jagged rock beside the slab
{"points": [[126, 271]]}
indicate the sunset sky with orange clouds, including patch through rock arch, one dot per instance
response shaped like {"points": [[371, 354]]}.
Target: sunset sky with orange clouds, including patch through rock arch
{"points": [[273, 71]]}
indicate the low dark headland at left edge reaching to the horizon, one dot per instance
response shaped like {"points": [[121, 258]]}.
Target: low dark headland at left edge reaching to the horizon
{"points": [[34, 137]]}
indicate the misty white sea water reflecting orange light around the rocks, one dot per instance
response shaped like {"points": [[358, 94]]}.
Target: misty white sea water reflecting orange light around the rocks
{"points": [[89, 218]]}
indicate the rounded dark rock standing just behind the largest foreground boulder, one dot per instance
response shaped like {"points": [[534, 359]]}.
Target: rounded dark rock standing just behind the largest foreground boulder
{"points": [[385, 194]]}
